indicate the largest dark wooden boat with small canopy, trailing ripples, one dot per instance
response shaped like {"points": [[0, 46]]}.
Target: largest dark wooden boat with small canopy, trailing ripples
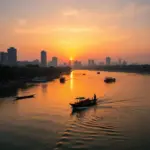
{"points": [[83, 103]]}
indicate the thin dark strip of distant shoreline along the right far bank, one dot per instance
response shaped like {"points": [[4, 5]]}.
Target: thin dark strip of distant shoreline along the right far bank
{"points": [[141, 69]]}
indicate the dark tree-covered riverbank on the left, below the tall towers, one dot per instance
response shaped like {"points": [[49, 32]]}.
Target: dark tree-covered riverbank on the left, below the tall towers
{"points": [[18, 77]]}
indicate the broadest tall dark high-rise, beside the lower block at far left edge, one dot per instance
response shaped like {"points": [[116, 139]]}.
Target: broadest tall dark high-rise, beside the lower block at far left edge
{"points": [[12, 56]]}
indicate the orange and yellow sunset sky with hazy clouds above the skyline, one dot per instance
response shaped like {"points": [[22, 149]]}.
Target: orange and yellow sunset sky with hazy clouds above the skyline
{"points": [[80, 29]]}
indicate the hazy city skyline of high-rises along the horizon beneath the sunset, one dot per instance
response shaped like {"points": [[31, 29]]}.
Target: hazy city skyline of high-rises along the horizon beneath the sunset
{"points": [[10, 58]]}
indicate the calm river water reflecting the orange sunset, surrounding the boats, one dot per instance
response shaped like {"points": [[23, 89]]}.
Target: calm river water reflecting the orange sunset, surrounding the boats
{"points": [[120, 121]]}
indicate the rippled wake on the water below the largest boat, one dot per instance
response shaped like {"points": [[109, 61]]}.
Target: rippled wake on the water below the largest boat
{"points": [[84, 127]]}
